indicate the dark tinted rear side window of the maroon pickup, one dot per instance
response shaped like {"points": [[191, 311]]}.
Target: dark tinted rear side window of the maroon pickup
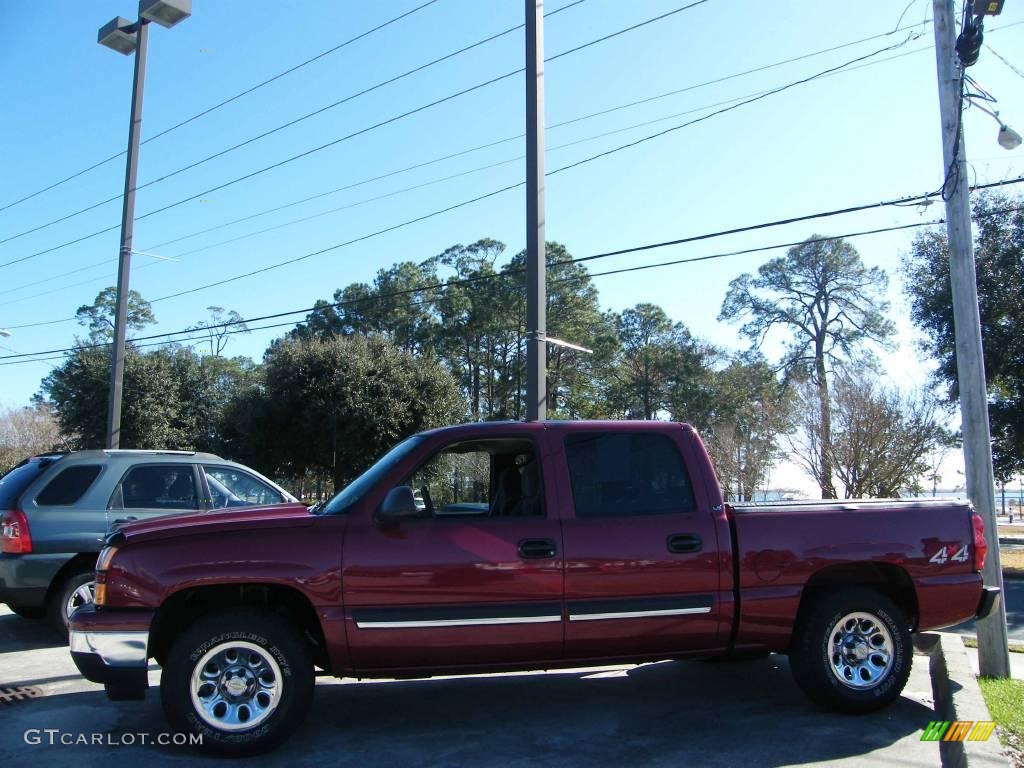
{"points": [[623, 475]]}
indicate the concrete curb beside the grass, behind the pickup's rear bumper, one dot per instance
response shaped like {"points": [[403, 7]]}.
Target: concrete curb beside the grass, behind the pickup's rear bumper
{"points": [[958, 697]]}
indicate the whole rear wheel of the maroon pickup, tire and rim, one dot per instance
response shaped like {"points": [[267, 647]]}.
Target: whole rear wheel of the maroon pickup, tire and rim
{"points": [[852, 652]]}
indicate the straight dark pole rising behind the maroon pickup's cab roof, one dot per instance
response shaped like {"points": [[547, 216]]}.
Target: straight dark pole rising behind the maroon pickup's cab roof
{"points": [[537, 324]]}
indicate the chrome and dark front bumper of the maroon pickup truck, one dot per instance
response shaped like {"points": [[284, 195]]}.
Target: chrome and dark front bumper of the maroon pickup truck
{"points": [[112, 649]]}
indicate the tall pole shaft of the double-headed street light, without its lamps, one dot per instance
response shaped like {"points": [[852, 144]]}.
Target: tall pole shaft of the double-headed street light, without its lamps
{"points": [[127, 226]]}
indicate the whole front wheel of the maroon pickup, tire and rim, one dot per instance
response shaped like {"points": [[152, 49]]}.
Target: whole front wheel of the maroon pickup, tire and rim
{"points": [[247, 667]]}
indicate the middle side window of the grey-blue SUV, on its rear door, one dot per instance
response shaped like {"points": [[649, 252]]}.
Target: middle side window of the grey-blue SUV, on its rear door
{"points": [[154, 490]]}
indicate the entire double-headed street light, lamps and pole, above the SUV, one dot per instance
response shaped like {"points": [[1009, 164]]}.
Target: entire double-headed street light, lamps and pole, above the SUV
{"points": [[125, 37]]}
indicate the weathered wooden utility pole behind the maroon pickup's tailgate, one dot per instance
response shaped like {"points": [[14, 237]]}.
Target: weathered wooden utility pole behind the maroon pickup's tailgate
{"points": [[994, 655]]}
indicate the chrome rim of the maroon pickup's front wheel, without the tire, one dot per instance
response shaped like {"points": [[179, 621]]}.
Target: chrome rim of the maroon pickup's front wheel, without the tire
{"points": [[236, 687]]}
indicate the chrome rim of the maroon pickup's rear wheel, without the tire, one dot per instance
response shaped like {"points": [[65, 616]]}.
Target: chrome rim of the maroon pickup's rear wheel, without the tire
{"points": [[861, 651]]}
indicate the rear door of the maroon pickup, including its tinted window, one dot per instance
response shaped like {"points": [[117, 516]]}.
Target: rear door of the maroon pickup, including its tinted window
{"points": [[642, 549]]}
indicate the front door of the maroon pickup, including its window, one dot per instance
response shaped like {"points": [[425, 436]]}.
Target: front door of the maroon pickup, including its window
{"points": [[473, 576]]}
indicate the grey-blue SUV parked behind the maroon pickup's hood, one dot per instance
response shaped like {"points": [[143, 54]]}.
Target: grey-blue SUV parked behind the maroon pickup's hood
{"points": [[57, 508]]}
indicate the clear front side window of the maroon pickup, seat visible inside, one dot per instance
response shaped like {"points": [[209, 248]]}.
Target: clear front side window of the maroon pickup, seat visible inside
{"points": [[487, 479]]}
